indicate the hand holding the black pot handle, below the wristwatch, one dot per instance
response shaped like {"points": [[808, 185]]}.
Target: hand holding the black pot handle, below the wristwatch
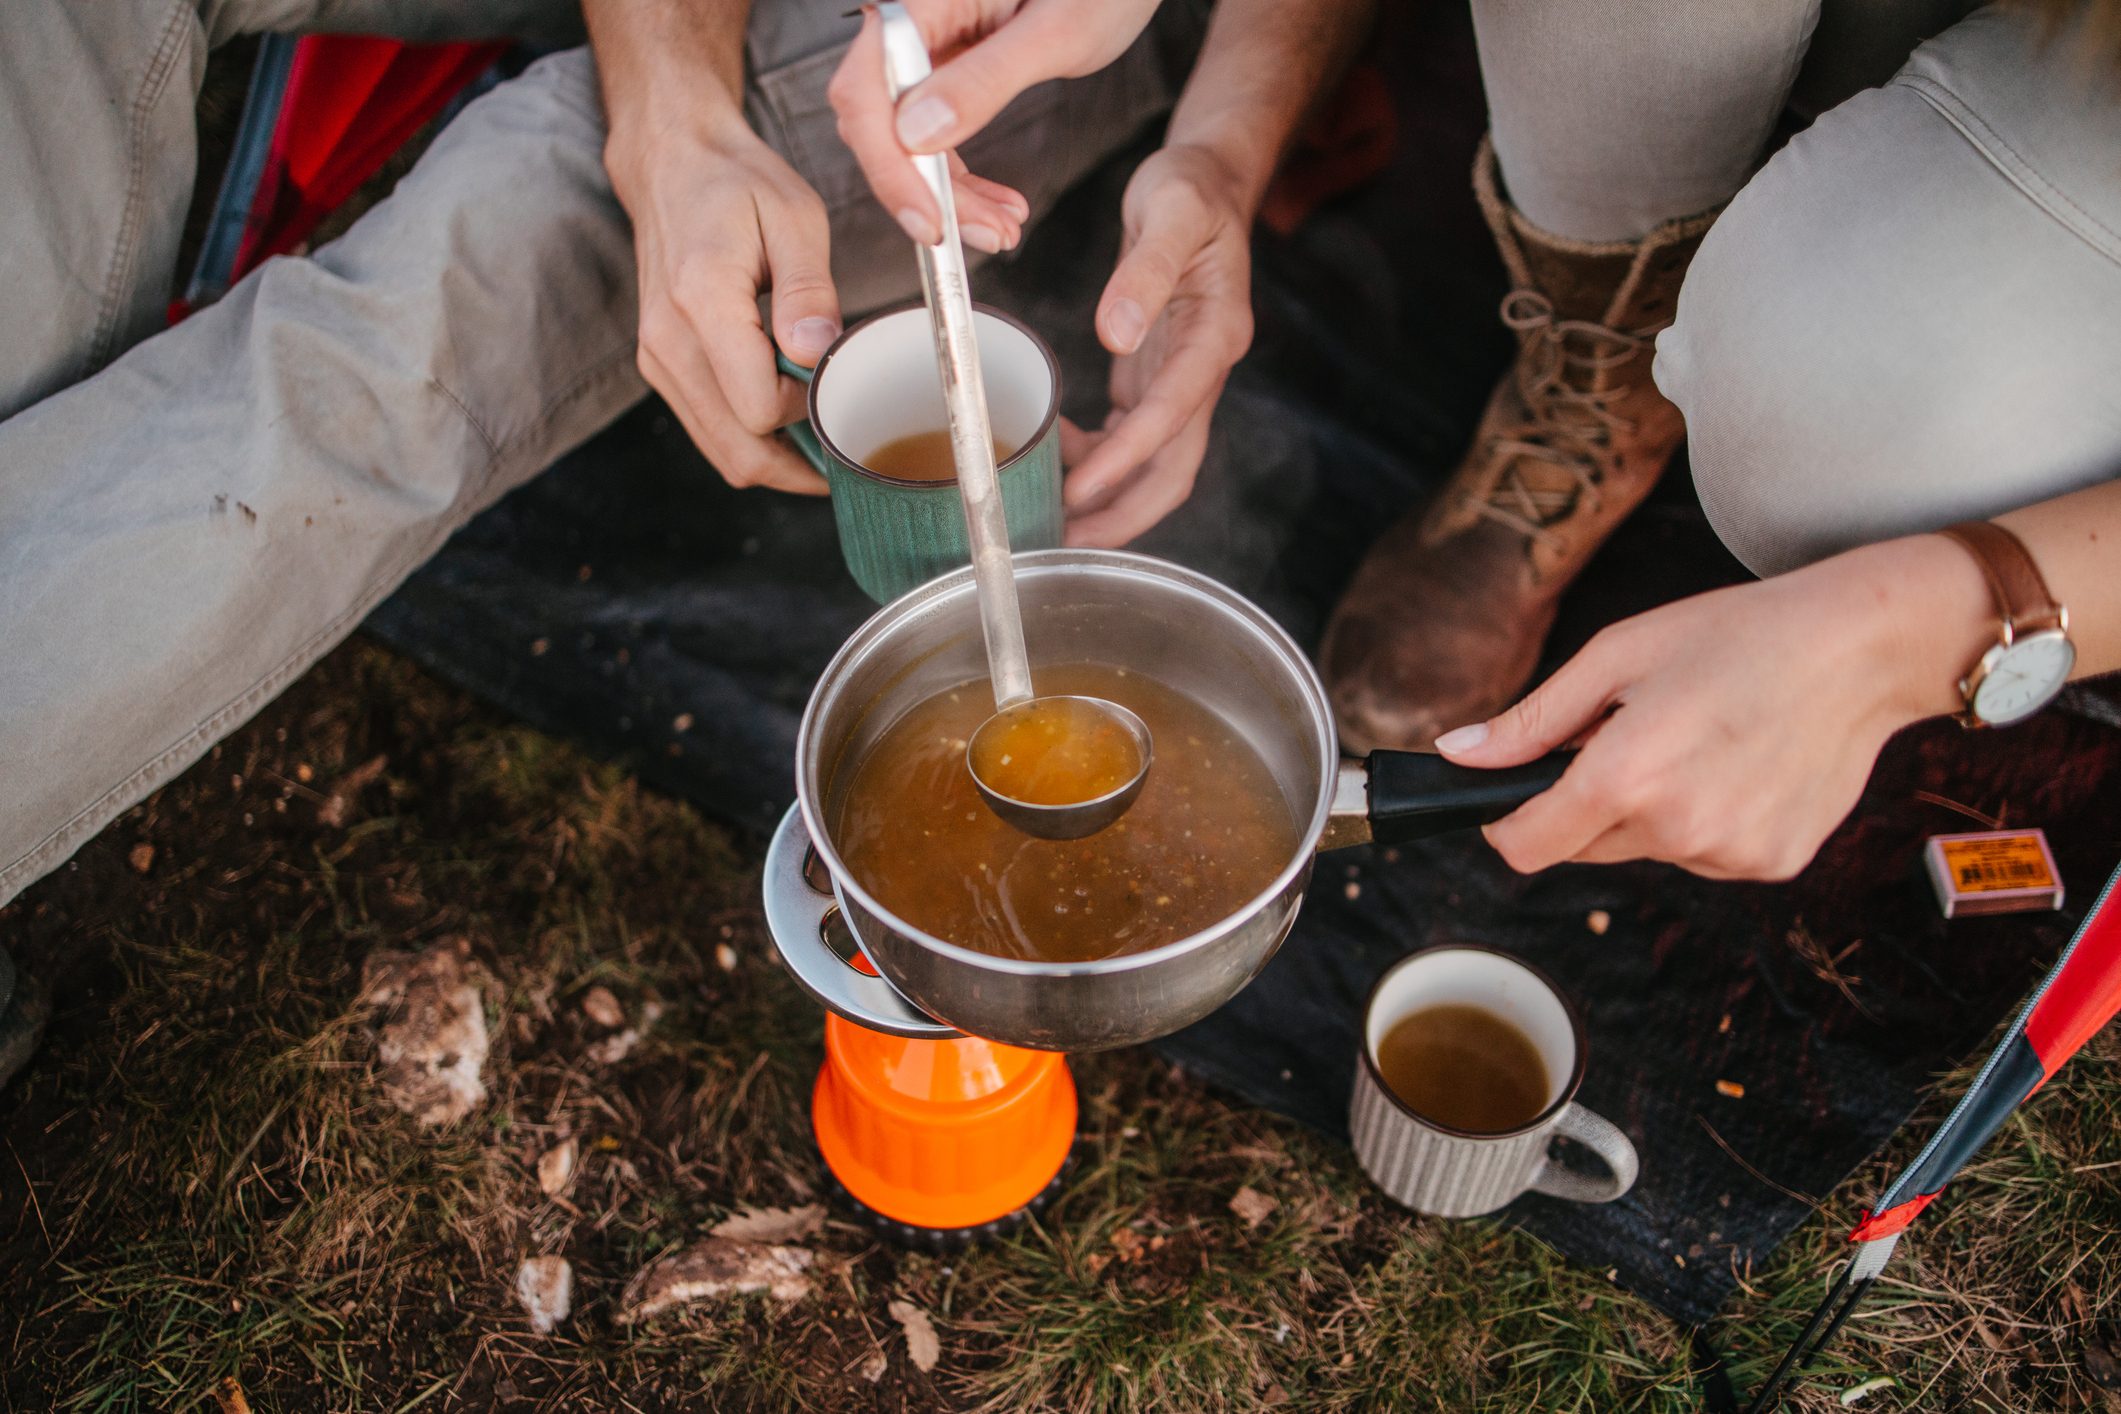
{"points": [[1732, 732]]}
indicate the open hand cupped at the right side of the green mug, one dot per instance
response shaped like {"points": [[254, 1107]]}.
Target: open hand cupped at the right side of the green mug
{"points": [[1178, 317]]}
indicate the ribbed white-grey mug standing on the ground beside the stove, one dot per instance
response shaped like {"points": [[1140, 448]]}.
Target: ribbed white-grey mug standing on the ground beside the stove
{"points": [[1458, 1173]]}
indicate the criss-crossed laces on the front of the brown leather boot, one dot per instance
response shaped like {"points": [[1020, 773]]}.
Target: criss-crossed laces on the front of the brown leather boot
{"points": [[1571, 421]]}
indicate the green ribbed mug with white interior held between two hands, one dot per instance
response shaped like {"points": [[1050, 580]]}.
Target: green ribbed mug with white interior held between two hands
{"points": [[877, 385]]}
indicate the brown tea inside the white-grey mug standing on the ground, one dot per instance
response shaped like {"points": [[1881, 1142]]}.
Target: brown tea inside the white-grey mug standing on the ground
{"points": [[1465, 1067]]}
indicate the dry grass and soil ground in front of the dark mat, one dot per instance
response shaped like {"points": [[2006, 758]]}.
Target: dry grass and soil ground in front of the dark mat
{"points": [[200, 1180]]}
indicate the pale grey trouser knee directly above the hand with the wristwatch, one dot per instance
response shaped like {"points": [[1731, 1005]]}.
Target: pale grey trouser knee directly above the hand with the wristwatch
{"points": [[1882, 338]]}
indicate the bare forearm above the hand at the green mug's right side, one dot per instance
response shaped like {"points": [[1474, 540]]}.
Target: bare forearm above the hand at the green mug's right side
{"points": [[1261, 73]]}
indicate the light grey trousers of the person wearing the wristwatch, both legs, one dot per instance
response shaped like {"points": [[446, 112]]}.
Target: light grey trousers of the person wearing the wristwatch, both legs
{"points": [[1912, 315]]}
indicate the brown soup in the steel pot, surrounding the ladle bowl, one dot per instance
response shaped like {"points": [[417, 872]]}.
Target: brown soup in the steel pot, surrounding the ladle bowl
{"points": [[1208, 834]]}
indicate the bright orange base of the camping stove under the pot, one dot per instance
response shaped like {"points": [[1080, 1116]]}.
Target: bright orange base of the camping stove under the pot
{"points": [[943, 1142]]}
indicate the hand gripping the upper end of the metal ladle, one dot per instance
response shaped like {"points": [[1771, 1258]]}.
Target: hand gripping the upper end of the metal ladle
{"points": [[994, 50]]}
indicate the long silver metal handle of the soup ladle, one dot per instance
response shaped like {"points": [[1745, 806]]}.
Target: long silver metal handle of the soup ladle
{"points": [[947, 289]]}
